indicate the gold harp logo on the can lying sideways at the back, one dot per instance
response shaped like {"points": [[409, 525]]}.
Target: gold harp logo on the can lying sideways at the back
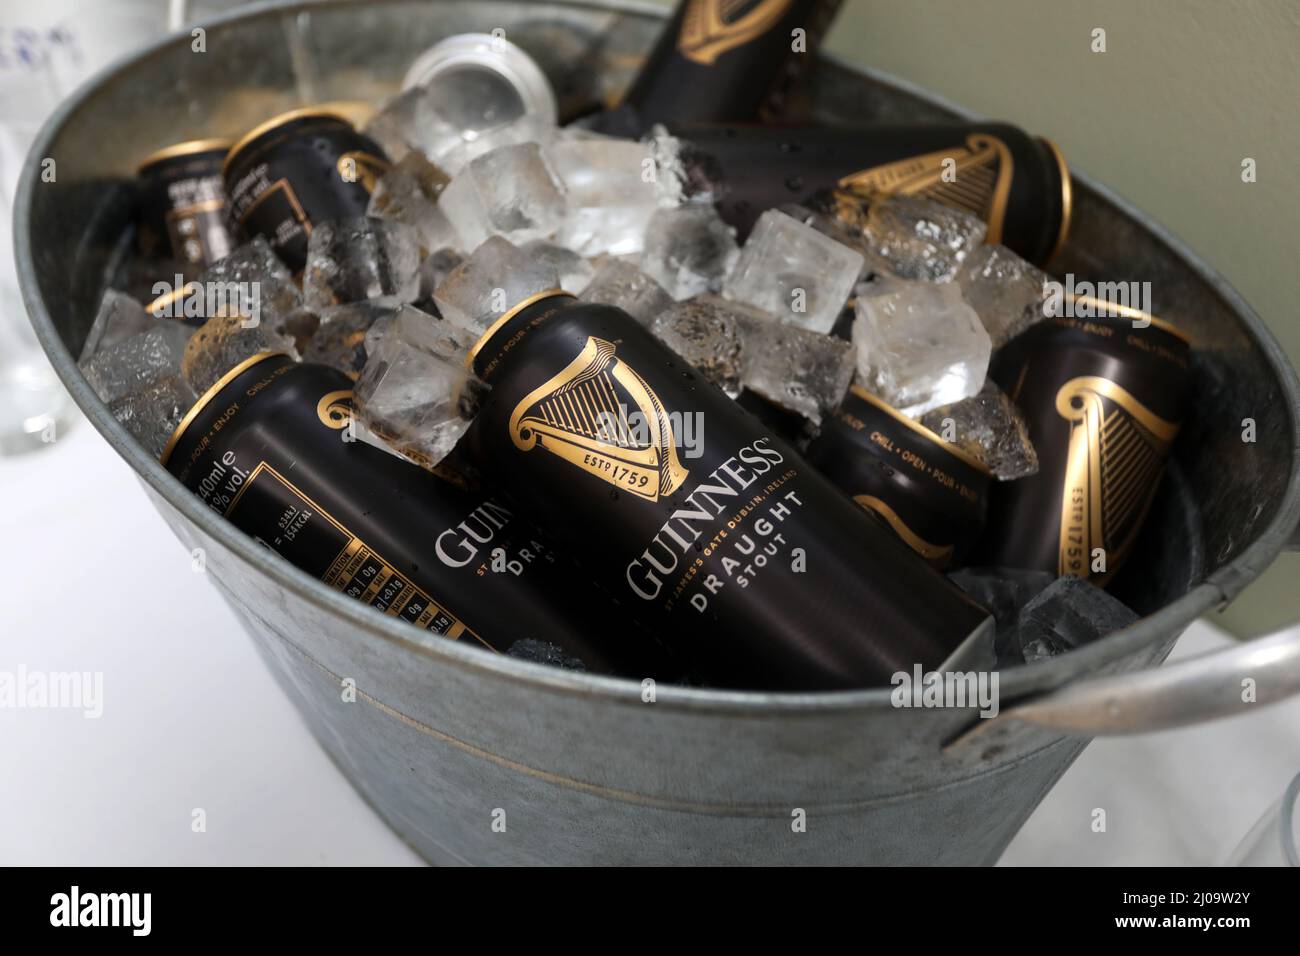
{"points": [[981, 175]]}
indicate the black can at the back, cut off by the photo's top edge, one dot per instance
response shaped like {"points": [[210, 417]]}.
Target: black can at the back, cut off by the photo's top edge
{"points": [[721, 60]]}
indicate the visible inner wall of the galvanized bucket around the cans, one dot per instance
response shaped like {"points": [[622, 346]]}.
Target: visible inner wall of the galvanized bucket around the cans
{"points": [[1220, 494]]}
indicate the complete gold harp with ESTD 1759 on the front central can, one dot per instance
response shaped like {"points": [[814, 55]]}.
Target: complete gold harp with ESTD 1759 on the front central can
{"points": [[582, 416]]}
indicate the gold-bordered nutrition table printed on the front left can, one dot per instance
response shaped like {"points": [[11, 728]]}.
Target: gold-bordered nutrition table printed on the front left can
{"points": [[289, 522]]}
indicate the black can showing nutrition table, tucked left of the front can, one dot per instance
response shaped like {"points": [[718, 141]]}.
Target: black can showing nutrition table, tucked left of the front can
{"points": [[267, 449]]}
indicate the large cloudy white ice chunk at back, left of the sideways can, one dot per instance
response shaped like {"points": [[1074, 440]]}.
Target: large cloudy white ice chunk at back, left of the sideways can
{"points": [[610, 192]]}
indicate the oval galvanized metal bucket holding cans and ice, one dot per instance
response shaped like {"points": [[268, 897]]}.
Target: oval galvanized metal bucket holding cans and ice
{"points": [[443, 737]]}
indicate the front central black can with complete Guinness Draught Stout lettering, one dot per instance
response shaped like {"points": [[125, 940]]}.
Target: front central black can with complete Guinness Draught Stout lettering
{"points": [[753, 568]]}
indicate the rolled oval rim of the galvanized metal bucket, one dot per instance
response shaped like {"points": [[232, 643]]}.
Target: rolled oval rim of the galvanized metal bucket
{"points": [[1220, 587]]}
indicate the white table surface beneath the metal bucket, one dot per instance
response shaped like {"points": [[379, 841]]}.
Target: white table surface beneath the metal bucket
{"points": [[93, 581]]}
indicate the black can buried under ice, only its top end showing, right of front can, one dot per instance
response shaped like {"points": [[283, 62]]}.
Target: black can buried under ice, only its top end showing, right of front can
{"points": [[930, 492]]}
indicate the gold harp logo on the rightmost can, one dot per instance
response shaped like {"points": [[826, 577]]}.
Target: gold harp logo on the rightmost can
{"points": [[1116, 453]]}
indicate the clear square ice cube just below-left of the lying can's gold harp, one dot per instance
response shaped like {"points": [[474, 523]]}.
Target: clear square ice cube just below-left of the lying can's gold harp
{"points": [[795, 272]]}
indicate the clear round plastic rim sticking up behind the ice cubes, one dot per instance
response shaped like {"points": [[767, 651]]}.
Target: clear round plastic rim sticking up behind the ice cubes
{"points": [[493, 63]]}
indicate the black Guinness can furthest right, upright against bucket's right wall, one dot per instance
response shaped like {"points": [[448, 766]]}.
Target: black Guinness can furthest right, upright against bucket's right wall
{"points": [[1103, 399]]}
